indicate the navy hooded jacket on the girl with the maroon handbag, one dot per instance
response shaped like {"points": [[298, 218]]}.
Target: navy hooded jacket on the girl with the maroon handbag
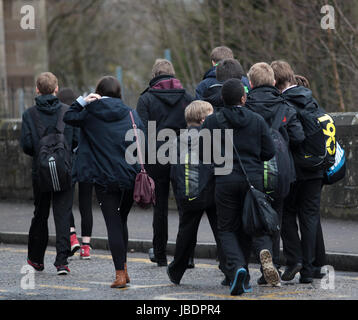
{"points": [[101, 156]]}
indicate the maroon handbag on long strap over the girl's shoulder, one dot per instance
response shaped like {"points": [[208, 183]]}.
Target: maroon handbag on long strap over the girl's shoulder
{"points": [[144, 186]]}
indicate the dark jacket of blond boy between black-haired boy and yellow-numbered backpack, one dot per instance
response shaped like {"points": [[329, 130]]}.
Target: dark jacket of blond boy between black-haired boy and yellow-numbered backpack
{"points": [[266, 101]]}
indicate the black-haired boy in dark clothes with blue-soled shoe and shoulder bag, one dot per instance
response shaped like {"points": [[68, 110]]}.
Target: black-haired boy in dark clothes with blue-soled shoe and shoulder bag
{"points": [[252, 139]]}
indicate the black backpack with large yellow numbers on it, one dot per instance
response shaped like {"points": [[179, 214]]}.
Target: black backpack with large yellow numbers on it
{"points": [[318, 150]]}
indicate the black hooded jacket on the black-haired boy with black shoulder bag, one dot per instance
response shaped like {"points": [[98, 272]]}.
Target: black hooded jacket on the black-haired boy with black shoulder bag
{"points": [[251, 138]]}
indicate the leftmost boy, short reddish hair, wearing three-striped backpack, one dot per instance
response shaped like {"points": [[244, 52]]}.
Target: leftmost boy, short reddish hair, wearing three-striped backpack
{"points": [[49, 109]]}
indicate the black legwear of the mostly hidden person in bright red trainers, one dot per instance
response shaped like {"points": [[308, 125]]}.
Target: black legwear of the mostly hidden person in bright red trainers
{"points": [[85, 205]]}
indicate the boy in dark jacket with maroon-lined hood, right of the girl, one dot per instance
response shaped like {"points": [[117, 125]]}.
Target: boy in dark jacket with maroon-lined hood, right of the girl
{"points": [[164, 103]]}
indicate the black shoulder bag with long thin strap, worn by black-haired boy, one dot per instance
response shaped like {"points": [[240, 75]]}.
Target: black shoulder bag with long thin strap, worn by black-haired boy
{"points": [[258, 218]]}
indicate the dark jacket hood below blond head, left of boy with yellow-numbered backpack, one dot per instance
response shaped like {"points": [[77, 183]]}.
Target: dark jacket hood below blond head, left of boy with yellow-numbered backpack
{"points": [[265, 101]]}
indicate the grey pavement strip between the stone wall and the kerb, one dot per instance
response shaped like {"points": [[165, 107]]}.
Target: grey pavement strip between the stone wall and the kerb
{"points": [[339, 235]]}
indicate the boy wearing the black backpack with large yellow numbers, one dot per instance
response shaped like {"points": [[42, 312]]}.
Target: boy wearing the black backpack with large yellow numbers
{"points": [[304, 198]]}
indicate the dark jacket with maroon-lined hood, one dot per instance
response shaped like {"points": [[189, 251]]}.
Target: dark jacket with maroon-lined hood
{"points": [[164, 102]]}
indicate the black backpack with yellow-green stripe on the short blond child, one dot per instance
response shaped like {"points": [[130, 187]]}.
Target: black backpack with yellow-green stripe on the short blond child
{"points": [[193, 181]]}
